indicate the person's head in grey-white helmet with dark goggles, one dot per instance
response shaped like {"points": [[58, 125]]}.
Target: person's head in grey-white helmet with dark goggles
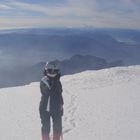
{"points": [[52, 69]]}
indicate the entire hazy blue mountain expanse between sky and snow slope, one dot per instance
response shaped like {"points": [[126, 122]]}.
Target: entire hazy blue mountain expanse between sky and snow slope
{"points": [[21, 51]]}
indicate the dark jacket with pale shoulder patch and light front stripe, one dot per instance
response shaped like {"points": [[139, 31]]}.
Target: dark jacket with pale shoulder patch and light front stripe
{"points": [[51, 99]]}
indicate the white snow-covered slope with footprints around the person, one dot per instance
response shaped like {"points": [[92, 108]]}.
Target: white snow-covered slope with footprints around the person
{"points": [[99, 105]]}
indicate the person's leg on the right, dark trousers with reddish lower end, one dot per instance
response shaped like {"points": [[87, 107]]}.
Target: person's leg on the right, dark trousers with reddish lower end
{"points": [[57, 126]]}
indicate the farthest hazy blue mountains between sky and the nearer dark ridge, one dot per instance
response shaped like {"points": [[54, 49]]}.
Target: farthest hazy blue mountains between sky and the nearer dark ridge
{"points": [[30, 46]]}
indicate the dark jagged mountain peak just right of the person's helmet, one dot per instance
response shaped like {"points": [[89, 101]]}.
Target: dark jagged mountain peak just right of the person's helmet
{"points": [[79, 63]]}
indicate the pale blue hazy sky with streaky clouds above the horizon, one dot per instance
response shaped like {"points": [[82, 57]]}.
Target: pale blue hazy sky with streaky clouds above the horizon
{"points": [[69, 13]]}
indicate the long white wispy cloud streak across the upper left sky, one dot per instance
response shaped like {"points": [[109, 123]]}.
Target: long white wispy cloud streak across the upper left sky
{"points": [[68, 9]]}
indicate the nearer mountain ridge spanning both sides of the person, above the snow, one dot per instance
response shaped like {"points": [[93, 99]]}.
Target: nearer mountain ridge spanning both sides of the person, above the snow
{"points": [[75, 64]]}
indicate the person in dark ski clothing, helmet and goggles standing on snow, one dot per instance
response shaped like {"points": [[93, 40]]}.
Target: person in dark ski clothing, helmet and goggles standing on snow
{"points": [[51, 104]]}
